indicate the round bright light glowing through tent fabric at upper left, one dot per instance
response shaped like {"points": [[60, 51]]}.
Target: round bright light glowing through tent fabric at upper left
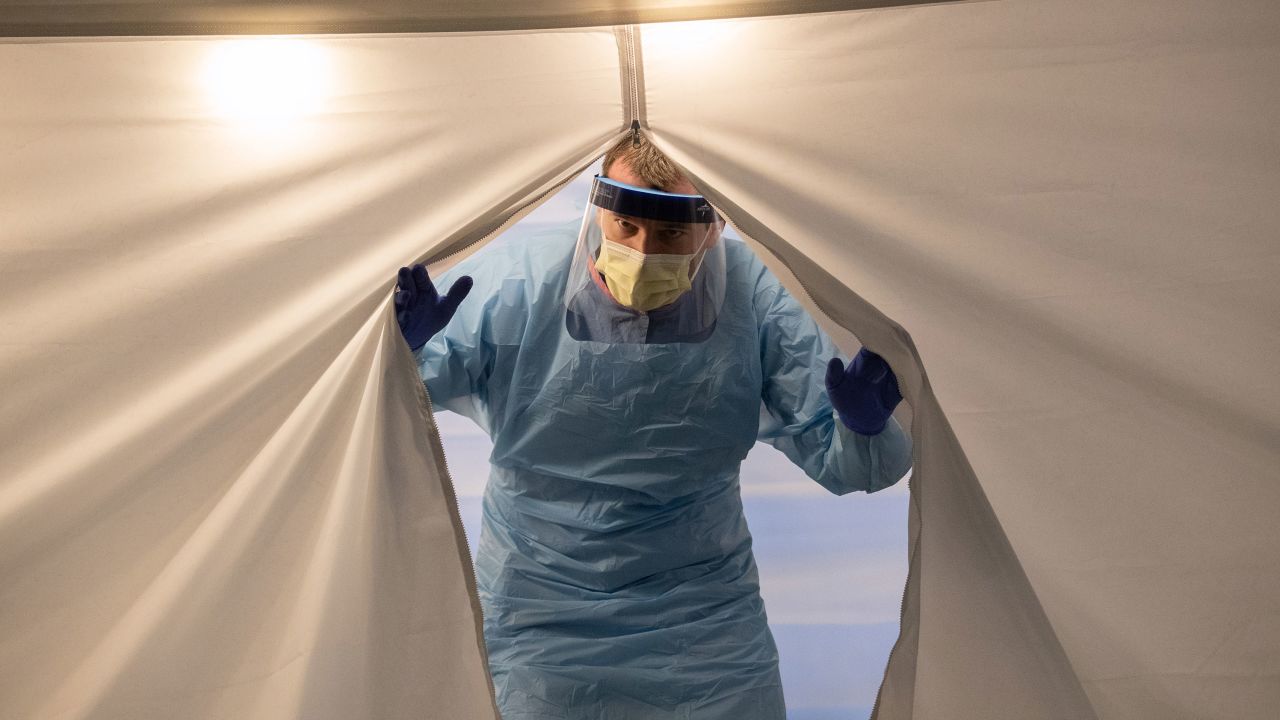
{"points": [[267, 81]]}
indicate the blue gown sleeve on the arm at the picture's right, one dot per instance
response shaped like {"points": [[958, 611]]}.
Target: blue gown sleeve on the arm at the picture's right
{"points": [[797, 416]]}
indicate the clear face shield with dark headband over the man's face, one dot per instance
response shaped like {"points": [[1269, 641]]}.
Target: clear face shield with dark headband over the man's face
{"points": [[650, 267]]}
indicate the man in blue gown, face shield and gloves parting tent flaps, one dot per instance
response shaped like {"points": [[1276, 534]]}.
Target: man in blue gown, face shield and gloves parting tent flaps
{"points": [[624, 377]]}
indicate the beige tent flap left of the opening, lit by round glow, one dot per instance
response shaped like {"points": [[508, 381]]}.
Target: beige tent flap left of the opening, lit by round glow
{"points": [[220, 499]]}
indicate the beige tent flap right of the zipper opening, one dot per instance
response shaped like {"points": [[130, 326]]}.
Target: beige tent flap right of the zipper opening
{"points": [[1069, 208]]}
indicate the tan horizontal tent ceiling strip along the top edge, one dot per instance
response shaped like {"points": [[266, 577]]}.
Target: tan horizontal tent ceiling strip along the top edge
{"points": [[86, 19]]}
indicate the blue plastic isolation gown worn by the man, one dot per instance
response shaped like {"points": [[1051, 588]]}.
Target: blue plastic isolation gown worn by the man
{"points": [[615, 566]]}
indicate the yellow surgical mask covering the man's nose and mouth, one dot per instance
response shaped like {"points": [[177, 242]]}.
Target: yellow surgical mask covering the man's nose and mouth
{"points": [[642, 281]]}
